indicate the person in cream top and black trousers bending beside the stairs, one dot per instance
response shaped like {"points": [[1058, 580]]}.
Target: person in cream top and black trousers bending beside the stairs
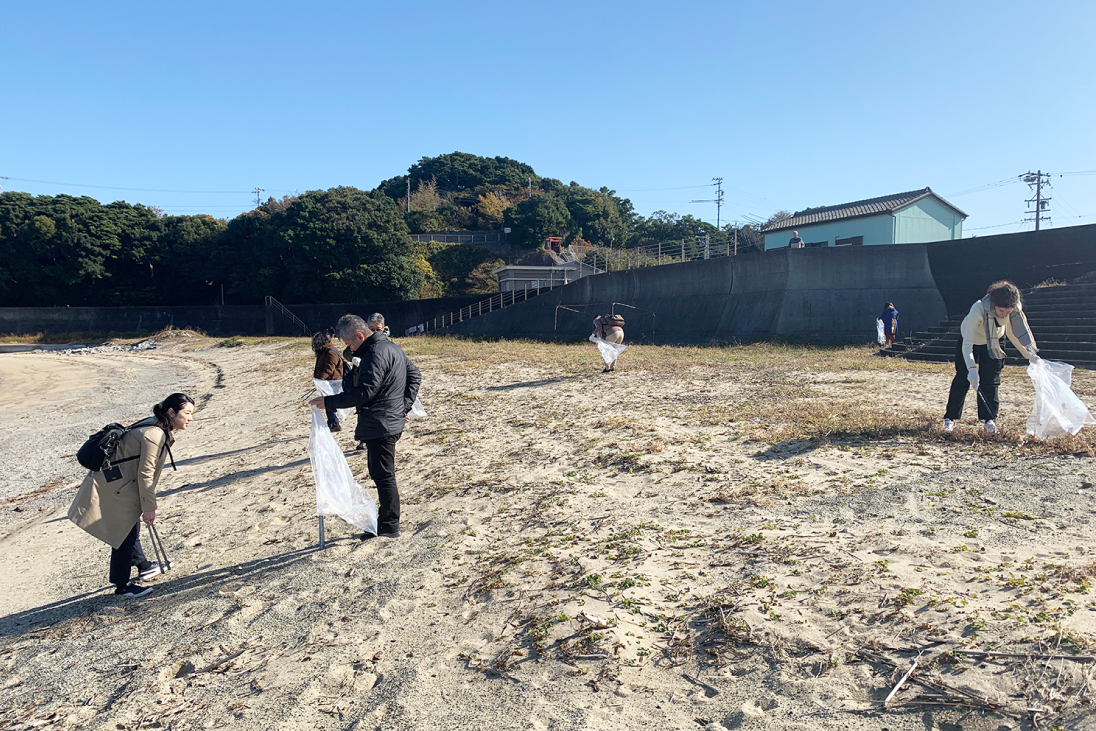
{"points": [[979, 356]]}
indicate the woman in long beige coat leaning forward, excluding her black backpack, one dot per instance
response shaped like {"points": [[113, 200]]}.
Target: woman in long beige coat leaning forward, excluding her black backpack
{"points": [[111, 505]]}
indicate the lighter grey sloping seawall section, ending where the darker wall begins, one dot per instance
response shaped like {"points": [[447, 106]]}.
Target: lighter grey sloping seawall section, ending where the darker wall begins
{"points": [[805, 293]]}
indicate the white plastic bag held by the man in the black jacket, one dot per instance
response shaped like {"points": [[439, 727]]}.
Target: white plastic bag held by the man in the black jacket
{"points": [[337, 493]]}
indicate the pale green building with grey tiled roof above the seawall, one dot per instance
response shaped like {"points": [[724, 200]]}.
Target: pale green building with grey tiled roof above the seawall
{"points": [[912, 218]]}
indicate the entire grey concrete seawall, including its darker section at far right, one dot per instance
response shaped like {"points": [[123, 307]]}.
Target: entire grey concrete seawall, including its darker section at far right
{"points": [[830, 294]]}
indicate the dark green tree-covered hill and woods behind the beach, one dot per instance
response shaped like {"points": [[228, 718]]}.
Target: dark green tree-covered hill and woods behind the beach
{"points": [[336, 246]]}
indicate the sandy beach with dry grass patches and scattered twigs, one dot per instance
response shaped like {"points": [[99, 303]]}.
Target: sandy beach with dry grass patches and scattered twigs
{"points": [[757, 538]]}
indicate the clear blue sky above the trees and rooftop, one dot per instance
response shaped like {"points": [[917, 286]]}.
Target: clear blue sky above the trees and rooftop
{"points": [[794, 105]]}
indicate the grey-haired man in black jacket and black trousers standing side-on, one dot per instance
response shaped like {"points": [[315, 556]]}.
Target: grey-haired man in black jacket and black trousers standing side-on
{"points": [[382, 385]]}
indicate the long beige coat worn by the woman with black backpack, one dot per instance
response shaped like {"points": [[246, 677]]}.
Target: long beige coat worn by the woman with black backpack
{"points": [[110, 510]]}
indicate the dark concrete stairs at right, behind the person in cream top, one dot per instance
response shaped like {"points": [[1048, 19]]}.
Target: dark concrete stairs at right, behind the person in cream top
{"points": [[1063, 319]]}
